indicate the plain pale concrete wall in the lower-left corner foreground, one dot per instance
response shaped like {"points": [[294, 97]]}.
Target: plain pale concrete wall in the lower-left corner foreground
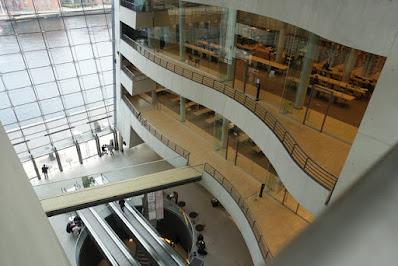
{"points": [[27, 237]]}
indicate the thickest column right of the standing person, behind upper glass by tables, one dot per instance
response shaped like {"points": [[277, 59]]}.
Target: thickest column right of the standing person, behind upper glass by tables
{"points": [[305, 75]]}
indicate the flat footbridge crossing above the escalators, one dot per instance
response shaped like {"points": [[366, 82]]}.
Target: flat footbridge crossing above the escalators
{"points": [[92, 196]]}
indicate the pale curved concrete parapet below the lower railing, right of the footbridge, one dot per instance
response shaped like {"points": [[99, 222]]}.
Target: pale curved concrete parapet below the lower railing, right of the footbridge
{"points": [[238, 217]]}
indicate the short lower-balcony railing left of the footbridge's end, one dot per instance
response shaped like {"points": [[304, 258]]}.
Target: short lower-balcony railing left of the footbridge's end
{"points": [[172, 145]]}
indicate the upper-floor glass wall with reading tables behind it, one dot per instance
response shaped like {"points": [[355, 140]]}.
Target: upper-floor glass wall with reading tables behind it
{"points": [[299, 75]]}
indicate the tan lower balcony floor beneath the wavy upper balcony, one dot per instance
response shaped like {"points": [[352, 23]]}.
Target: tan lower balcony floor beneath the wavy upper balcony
{"points": [[278, 224]]}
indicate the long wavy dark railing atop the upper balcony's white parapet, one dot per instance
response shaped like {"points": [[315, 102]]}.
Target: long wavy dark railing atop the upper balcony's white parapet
{"points": [[299, 156]]}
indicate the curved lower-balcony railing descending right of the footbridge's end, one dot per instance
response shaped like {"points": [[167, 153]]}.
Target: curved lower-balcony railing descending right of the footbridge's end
{"points": [[240, 201]]}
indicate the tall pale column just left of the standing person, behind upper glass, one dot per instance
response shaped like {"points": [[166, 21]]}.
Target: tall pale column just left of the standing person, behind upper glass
{"points": [[228, 27]]}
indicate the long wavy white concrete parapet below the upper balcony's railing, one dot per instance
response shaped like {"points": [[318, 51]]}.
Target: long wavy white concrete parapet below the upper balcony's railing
{"points": [[306, 191]]}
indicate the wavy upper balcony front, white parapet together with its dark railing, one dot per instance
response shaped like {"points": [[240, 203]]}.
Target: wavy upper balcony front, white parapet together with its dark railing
{"points": [[296, 180]]}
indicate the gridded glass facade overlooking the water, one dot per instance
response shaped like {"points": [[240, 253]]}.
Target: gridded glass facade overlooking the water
{"points": [[56, 77]]}
